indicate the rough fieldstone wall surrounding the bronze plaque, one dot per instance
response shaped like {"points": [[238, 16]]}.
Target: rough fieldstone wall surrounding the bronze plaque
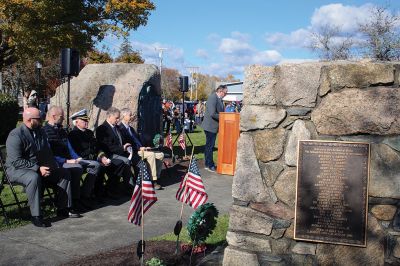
{"points": [[341, 101]]}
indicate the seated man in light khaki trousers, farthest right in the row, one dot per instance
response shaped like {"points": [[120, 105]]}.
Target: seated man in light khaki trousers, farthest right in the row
{"points": [[129, 135]]}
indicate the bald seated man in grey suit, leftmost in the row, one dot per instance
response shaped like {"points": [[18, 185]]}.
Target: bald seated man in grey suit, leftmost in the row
{"points": [[30, 162]]}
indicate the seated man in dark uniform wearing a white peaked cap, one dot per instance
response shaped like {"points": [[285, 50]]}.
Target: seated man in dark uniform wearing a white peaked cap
{"points": [[85, 145]]}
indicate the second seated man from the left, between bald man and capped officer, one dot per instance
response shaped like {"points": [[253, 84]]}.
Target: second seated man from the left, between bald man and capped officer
{"points": [[67, 158]]}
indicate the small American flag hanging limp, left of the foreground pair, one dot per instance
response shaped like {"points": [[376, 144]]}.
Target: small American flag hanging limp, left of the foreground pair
{"points": [[148, 194]]}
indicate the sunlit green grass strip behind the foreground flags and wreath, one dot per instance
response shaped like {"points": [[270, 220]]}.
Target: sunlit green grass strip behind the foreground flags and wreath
{"points": [[216, 238]]}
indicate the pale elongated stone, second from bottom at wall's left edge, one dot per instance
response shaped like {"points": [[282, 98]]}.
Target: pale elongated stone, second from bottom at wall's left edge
{"points": [[252, 243]]}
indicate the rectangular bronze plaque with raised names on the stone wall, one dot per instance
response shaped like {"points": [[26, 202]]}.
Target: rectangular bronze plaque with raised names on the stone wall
{"points": [[332, 192]]}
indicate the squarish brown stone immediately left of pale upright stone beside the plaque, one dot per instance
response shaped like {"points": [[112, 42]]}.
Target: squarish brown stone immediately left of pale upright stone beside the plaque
{"points": [[269, 144]]}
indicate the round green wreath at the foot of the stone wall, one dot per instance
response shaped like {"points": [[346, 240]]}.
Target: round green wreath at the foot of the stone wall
{"points": [[202, 223]]}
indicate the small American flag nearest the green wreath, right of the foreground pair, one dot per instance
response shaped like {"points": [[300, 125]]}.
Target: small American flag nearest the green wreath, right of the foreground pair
{"points": [[191, 190]]}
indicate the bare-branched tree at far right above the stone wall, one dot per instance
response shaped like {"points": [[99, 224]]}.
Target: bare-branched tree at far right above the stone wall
{"points": [[382, 40]]}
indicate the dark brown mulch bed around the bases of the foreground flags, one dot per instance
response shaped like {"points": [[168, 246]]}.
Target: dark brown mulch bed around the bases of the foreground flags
{"points": [[164, 250]]}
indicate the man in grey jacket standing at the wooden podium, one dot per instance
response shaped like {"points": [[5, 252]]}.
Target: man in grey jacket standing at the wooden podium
{"points": [[210, 124]]}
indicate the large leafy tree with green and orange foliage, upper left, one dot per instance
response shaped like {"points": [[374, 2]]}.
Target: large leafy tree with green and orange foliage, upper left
{"points": [[40, 28]]}
